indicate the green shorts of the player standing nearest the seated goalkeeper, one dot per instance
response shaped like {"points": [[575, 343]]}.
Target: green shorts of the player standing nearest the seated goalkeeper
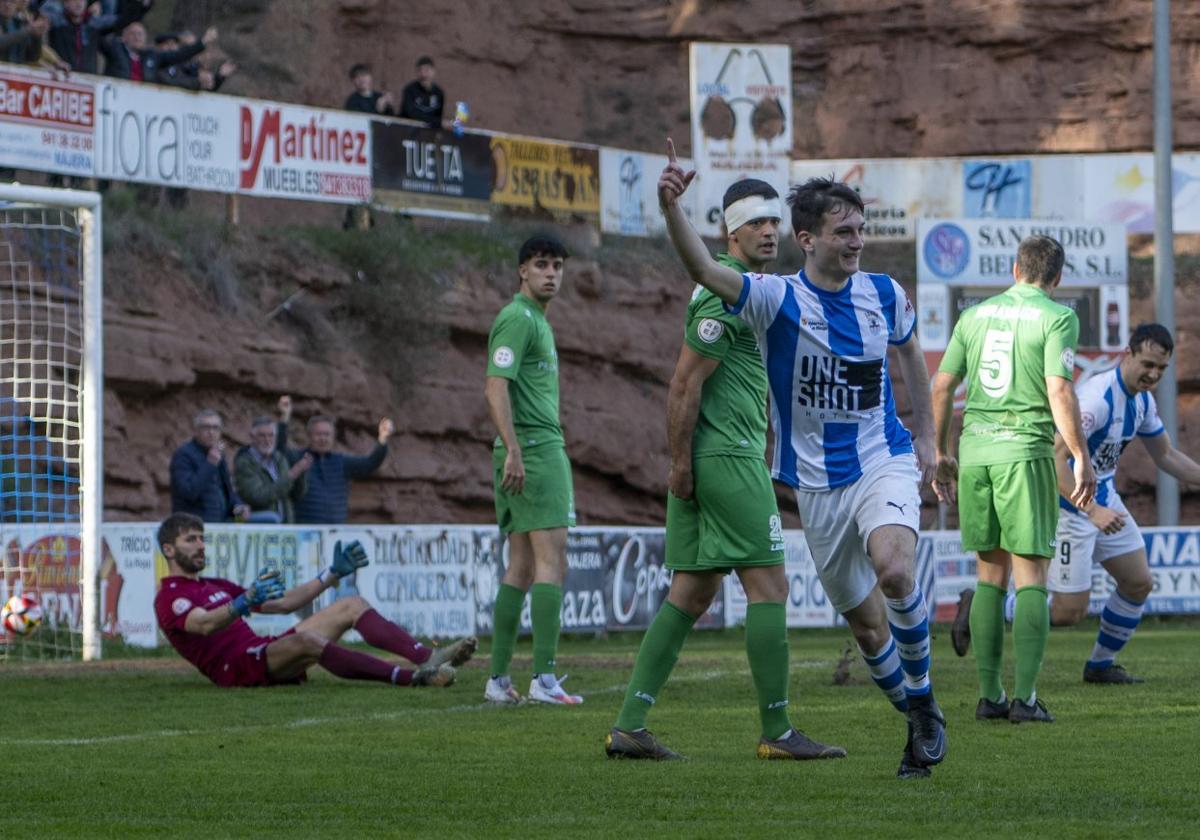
{"points": [[548, 501]]}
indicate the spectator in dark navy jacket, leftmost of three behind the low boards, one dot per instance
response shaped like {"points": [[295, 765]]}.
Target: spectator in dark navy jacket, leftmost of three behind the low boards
{"points": [[200, 478]]}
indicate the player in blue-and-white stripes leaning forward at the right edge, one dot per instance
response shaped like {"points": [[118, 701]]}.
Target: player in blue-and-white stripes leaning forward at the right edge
{"points": [[1117, 407]]}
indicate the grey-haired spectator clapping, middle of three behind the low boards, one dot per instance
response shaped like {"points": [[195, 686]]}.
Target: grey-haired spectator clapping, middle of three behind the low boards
{"points": [[263, 479]]}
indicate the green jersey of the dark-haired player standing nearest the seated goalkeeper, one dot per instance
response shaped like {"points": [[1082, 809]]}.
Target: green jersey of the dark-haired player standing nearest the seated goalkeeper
{"points": [[521, 349]]}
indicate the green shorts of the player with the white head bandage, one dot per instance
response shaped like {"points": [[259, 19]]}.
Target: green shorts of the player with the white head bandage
{"points": [[731, 520]]}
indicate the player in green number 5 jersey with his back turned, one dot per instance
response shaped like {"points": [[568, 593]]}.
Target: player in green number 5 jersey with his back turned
{"points": [[1018, 352]]}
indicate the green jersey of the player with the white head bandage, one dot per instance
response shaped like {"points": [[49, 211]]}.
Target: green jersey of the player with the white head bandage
{"points": [[734, 401]]}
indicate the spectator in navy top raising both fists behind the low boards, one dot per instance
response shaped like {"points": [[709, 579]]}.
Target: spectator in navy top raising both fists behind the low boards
{"points": [[329, 478]]}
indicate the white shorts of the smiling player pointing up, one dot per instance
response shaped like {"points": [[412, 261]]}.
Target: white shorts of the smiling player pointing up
{"points": [[838, 524]]}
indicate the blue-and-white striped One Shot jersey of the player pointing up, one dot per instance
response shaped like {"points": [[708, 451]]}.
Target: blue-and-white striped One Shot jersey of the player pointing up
{"points": [[826, 355]]}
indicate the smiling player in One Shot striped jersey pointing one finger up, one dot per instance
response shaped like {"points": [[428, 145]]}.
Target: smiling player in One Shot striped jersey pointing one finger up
{"points": [[825, 335]]}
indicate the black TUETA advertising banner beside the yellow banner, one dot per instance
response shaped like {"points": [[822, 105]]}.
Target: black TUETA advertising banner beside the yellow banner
{"points": [[429, 172]]}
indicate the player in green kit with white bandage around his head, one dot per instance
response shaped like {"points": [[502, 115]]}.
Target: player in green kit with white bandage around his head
{"points": [[722, 511]]}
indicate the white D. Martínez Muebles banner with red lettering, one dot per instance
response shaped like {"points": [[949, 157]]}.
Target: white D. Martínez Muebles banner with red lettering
{"points": [[291, 152]]}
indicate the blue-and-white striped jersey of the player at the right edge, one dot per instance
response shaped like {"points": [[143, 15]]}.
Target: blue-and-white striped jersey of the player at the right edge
{"points": [[1113, 417]]}
